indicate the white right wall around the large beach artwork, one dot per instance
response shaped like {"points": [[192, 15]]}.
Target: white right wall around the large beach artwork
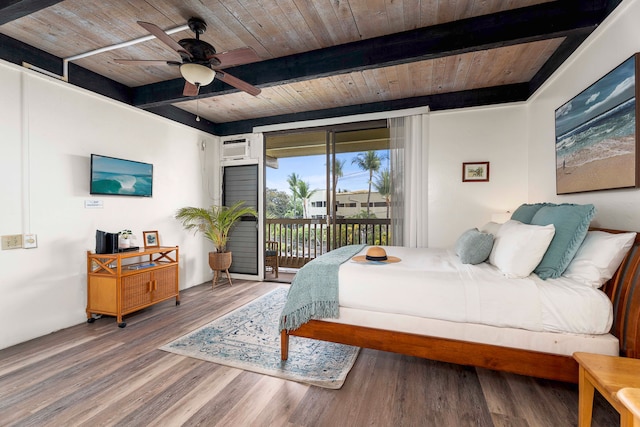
{"points": [[611, 44]]}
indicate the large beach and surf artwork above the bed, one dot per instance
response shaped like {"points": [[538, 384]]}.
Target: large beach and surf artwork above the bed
{"points": [[596, 143]]}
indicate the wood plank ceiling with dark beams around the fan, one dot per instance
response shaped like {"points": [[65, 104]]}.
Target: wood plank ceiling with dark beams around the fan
{"points": [[317, 58]]}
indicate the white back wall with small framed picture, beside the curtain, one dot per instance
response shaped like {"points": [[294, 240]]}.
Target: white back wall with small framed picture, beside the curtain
{"points": [[495, 134]]}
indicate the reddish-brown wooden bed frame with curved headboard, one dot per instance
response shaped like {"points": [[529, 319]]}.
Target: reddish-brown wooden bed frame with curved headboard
{"points": [[623, 290]]}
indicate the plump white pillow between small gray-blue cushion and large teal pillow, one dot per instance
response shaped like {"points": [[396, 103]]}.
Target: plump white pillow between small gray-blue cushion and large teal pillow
{"points": [[518, 248]]}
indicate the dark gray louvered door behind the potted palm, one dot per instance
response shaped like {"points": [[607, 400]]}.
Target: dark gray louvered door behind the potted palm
{"points": [[241, 183]]}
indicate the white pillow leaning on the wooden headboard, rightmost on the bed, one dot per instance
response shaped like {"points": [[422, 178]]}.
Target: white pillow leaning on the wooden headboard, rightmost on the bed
{"points": [[599, 257]]}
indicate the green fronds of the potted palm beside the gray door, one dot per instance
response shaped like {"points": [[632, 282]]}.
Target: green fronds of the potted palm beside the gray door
{"points": [[214, 222]]}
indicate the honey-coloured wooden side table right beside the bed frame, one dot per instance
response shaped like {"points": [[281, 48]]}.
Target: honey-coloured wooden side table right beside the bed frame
{"points": [[607, 374]]}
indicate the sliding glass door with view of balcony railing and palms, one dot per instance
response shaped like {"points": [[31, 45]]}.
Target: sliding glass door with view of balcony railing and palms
{"points": [[325, 188]]}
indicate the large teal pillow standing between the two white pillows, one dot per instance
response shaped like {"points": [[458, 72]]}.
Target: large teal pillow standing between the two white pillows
{"points": [[572, 224]]}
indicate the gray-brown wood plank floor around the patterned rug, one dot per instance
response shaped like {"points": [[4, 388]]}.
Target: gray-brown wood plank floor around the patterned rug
{"points": [[100, 375]]}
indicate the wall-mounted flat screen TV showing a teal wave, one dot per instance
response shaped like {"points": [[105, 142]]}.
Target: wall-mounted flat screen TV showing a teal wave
{"points": [[120, 177]]}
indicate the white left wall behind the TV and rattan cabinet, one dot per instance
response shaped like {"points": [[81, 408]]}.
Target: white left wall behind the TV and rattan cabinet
{"points": [[48, 129]]}
